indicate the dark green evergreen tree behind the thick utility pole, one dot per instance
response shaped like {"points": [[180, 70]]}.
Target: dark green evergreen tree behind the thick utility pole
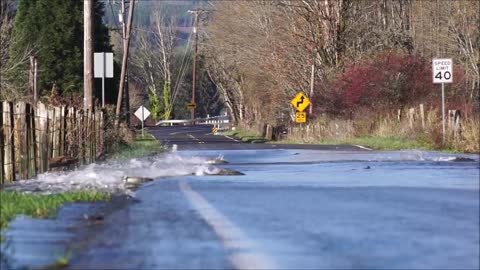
{"points": [[54, 30]]}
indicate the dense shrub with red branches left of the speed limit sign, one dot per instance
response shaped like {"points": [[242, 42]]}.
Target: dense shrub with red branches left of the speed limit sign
{"points": [[390, 79]]}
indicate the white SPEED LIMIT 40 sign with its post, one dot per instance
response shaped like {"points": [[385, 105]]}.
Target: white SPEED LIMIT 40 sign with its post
{"points": [[442, 72]]}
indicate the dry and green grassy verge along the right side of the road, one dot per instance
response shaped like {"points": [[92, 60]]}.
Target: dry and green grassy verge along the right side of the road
{"points": [[385, 134]]}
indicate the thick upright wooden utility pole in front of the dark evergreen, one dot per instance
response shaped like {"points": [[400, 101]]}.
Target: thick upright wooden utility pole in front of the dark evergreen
{"points": [[87, 53]]}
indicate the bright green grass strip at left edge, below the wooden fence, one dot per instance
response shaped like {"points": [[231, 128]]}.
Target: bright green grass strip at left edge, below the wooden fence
{"points": [[41, 206]]}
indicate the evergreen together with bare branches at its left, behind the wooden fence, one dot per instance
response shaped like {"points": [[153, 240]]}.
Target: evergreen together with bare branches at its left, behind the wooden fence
{"points": [[52, 31]]}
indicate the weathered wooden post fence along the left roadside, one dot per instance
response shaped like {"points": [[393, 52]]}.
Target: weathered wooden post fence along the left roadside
{"points": [[35, 138]]}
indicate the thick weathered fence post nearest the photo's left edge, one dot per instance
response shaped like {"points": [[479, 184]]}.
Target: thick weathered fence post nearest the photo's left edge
{"points": [[9, 154]]}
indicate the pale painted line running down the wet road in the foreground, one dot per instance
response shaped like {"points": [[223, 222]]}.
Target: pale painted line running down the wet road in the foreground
{"points": [[240, 247]]}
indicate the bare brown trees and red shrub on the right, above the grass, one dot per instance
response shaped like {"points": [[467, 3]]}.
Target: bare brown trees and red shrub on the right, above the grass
{"points": [[368, 55]]}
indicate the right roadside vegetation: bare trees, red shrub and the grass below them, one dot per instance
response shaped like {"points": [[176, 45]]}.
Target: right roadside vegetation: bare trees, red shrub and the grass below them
{"points": [[372, 64]]}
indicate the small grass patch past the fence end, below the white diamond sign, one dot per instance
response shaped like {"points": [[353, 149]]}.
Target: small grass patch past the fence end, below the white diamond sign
{"points": [[140, 146]]}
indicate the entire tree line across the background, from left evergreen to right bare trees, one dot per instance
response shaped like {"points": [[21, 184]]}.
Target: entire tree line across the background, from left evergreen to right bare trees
{"points": [[254, 56]]}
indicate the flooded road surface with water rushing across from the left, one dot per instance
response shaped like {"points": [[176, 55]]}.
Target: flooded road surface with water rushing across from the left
{"points": [[292, 208]]}
